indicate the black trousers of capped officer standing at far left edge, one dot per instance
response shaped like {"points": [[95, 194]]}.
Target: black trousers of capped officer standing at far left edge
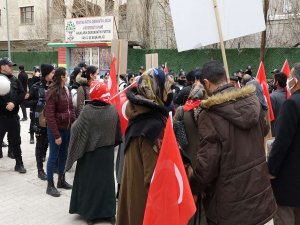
{"points": [[11, 125]]}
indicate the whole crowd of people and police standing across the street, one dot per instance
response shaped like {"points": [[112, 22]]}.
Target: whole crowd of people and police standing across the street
{"points": [[220, 126]]}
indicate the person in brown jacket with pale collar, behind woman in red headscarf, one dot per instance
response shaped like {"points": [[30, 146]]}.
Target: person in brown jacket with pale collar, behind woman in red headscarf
{"points": [[83, 92]]}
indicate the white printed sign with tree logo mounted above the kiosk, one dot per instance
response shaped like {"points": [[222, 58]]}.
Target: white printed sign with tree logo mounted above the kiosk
{"points": [[89, 29]]}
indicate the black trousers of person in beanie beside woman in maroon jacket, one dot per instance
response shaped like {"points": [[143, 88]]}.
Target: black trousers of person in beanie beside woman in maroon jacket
{"points": [[41, 146]]}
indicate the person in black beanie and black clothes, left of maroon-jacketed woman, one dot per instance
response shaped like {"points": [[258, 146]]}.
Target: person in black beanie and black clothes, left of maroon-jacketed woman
{"points": [[37, 100]]}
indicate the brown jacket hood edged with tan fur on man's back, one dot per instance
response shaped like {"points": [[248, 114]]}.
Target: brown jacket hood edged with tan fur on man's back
{"points": [[239, 106]]}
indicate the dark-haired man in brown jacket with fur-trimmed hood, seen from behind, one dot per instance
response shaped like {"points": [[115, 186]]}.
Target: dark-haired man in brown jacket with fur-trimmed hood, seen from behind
{"points": [[231, 164]]}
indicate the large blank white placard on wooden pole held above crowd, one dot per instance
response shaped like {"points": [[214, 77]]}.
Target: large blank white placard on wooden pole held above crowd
{"points": [[195, 22]]}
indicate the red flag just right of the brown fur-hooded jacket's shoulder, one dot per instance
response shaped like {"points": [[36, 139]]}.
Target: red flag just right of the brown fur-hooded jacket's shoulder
{"points": [[262, 79]]}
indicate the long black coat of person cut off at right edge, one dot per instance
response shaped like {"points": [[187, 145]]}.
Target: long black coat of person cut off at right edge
{"points": [[284, 159]]}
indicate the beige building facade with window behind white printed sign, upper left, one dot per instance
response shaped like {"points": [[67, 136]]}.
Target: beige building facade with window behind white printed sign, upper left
{"points": [[35, 23]]}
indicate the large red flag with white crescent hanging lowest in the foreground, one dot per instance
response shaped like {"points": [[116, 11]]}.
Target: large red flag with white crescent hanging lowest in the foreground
{"points": [[170, 199]]}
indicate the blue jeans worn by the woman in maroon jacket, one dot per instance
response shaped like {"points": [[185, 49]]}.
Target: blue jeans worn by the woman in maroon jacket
{"points": [[57, 152]]}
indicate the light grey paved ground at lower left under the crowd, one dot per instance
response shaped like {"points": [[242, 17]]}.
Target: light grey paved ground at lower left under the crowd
{"points": [[23, 198]]}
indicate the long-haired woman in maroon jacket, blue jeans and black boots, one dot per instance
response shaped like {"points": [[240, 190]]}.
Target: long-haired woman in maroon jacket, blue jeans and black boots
{"points": [[59, 116]]}
